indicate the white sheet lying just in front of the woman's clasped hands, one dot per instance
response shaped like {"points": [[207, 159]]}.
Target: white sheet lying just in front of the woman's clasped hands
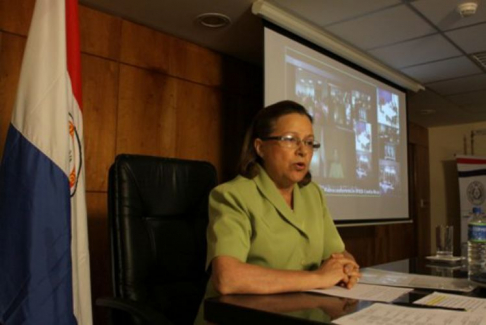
{"points": [[365, 292]]}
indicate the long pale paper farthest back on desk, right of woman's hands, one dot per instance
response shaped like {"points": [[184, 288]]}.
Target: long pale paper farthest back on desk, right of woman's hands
{"points": [[398, 279]]}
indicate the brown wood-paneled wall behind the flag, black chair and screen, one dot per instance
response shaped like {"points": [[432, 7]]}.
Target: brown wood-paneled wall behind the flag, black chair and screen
{"points": [[150, 93]]}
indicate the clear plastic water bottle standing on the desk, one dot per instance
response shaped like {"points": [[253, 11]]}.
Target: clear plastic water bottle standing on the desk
{"points": [[476, 244]]}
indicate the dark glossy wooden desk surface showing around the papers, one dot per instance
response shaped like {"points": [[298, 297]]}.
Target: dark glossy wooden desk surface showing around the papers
{"points": [[309, 308]]}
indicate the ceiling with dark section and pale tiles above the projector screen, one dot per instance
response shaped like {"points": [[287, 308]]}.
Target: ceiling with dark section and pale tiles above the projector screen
{"points": [[426, 40]]}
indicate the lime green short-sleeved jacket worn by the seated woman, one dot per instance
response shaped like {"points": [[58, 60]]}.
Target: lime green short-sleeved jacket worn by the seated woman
{"points": [[250, 220]]}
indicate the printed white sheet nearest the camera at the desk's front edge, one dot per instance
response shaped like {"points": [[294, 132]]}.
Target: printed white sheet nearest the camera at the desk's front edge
{"points": [[384, 314]]}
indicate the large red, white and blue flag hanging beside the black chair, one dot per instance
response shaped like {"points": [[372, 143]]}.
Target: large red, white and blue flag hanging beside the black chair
{"points": [[44, 258]]}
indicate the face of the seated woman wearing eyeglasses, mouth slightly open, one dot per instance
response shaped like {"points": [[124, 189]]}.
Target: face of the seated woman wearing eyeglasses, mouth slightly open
{"points": [[287, 166]]}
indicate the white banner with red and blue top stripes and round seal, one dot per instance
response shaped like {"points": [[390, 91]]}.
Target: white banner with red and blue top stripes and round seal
{"points": [[472, 189]]}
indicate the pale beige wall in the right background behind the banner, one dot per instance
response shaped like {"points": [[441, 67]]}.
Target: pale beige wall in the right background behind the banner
{"points": [[444, 143]]}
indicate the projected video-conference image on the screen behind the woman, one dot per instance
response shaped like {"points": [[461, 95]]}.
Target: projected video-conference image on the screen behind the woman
{"points": [[358, 125]]}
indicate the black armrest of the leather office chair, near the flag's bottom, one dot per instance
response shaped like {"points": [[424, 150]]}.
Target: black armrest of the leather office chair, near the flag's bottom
{"points": [[146, 313]]}
